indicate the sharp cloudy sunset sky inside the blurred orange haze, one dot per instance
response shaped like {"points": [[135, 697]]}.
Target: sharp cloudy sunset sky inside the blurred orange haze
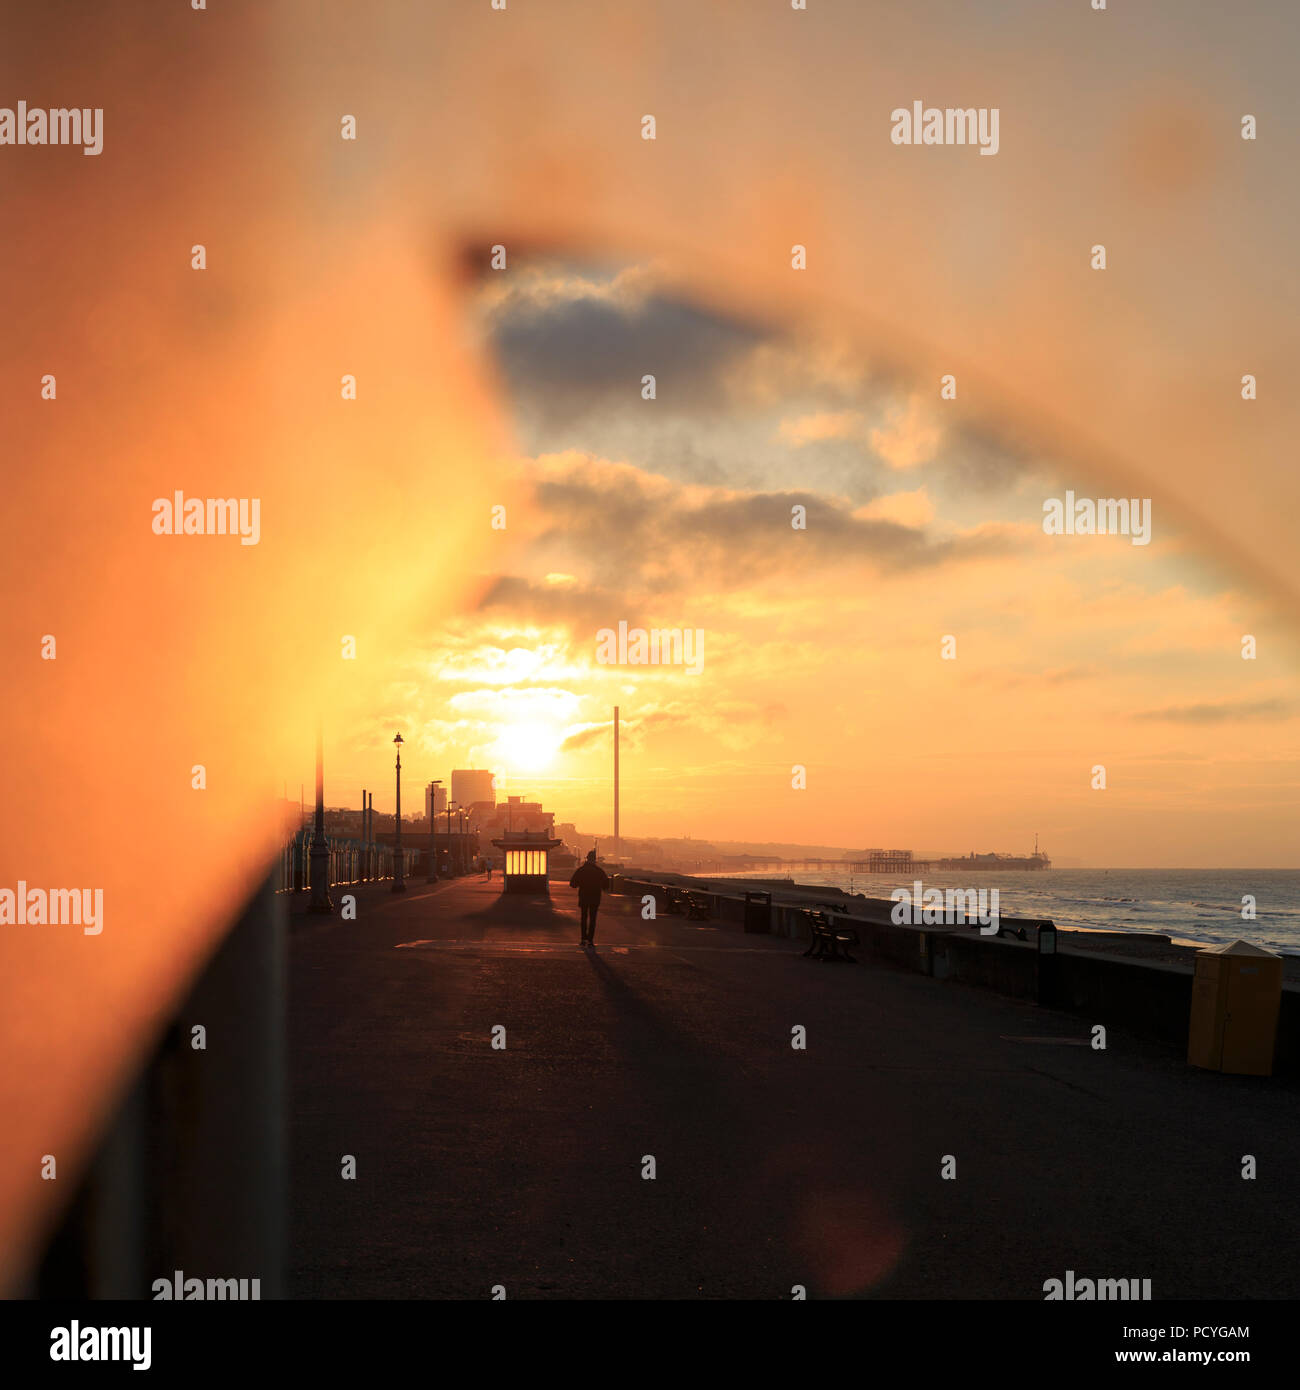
{"points": [[824, 648]]}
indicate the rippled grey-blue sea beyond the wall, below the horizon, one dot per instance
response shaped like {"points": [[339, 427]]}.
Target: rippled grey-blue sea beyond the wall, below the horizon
{"points": [[1198, 906]]}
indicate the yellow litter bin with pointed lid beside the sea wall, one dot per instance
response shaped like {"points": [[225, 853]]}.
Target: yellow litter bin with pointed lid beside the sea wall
{"points": [[1237, 996]]}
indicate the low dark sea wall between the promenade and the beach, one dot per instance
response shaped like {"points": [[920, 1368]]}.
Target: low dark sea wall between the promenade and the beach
{"points": [[1149, 999]]}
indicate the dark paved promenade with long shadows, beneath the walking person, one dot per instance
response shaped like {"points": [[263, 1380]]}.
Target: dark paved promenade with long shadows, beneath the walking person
{"points": [[774, 1167]]}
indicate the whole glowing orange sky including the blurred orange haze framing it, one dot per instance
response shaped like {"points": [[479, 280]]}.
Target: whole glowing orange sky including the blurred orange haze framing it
{"points": [[777, 389]]}
